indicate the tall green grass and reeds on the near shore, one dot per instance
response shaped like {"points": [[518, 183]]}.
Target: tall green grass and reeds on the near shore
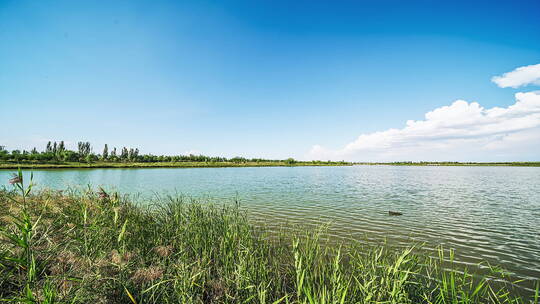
{"points": [[94, 247]]}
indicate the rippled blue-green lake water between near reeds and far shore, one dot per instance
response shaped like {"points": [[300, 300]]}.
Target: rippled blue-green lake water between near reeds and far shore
{"points": [[484, 213]]}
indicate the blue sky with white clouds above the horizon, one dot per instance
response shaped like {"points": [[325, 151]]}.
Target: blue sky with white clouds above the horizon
{"points": [[341, 80]]}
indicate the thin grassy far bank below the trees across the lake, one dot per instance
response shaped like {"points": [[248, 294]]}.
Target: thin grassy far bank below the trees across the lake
{"points": [[98, 164]]}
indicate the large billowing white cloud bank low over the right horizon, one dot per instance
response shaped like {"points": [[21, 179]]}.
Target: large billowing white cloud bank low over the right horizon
{"points": [[460, 131]]}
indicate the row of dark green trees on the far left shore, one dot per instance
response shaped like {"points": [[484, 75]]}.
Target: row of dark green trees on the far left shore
{"points": [[57, 152]]}
